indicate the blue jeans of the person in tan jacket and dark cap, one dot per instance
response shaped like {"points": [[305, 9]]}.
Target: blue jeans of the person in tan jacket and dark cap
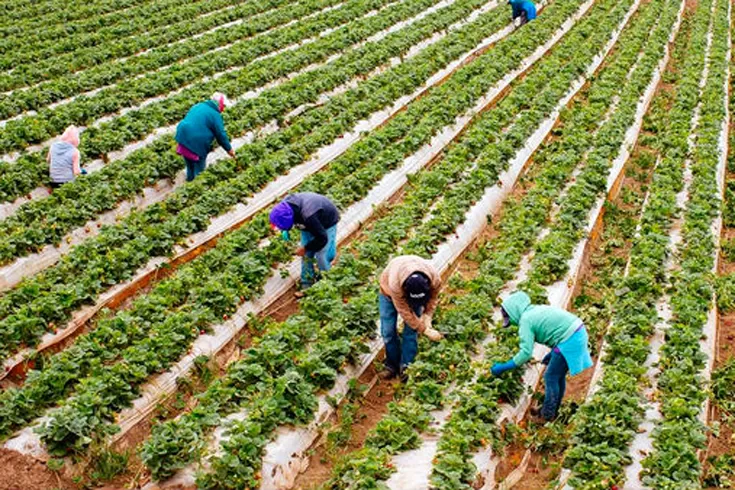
{"points": [[398, 354]]}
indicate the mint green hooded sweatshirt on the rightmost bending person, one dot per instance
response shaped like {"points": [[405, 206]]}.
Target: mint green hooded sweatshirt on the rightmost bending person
{"points": [[538, 323]]}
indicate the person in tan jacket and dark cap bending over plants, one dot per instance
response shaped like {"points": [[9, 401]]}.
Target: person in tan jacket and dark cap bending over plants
{"points": [[409, 286]]}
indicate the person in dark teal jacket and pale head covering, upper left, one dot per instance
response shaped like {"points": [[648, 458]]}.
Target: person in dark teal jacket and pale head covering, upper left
{"points": [[196, 132]]}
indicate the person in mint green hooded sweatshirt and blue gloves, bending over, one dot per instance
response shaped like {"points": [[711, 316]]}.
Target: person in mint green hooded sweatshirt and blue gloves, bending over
{"points": [[555, 328]]}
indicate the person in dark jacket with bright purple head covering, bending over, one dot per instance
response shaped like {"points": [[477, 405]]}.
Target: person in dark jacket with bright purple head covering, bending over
{"points": [[316, 216]]}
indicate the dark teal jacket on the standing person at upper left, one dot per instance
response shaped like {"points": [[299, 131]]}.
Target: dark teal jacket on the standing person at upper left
{"points": [[201, 126]]}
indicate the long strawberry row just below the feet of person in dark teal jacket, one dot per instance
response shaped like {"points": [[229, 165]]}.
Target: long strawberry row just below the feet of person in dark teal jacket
{"points": [[155, 231]]}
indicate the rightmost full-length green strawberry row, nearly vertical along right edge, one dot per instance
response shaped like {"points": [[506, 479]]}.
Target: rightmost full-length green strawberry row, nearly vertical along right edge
{"points": [[680, 434]]}
